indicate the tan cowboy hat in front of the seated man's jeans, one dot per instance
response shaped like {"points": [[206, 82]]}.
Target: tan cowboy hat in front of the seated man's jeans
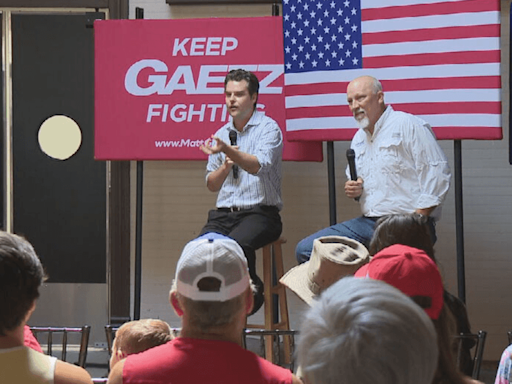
{"points": [[333, 257]]}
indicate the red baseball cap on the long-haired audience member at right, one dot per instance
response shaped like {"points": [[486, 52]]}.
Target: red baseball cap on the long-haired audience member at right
{"points": [[411, 271]]}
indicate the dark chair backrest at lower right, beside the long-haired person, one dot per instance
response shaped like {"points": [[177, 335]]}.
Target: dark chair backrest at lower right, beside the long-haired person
{"points": [[472, 345]]}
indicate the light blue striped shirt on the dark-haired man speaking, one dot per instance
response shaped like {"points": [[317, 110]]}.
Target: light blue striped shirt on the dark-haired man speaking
{"points": [[261, 137]]}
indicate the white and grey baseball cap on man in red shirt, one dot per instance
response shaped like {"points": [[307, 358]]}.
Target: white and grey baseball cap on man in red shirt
{"points": [[217, 256]]}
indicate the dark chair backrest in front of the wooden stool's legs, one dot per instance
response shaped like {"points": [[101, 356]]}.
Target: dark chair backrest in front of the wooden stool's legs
{"points": [[279, 338]]}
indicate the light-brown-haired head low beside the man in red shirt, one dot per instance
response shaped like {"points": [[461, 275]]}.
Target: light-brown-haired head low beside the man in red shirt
{"points": [[137, 336]]}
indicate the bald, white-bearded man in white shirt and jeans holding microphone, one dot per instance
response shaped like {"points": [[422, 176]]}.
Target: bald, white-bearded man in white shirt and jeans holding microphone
{"points": [[400, 165]]}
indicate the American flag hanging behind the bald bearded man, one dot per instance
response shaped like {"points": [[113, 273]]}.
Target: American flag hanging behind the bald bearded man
{"points": [[439, 60]]}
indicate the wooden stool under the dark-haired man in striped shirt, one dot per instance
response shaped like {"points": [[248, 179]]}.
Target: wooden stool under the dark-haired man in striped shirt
{"points": [[276, 316]]}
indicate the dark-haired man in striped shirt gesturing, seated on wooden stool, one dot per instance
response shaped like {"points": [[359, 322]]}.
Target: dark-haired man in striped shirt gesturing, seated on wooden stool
{"points": [[247, 174]]}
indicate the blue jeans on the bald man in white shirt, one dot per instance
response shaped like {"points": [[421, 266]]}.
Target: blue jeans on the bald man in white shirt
{"points": [[360, 229]]}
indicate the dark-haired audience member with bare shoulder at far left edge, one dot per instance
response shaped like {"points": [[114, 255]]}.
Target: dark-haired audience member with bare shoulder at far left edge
{"points": [[21, 275]]}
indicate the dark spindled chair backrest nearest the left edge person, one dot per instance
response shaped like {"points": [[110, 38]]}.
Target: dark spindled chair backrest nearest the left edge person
{"points": [[62, 334]]}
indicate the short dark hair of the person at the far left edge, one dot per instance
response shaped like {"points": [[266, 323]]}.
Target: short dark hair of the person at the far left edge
{"points": [[21, 275]]}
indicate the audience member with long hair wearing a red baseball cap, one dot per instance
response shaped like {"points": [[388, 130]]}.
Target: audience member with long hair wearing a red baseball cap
{"points": [[413, 272]]}
